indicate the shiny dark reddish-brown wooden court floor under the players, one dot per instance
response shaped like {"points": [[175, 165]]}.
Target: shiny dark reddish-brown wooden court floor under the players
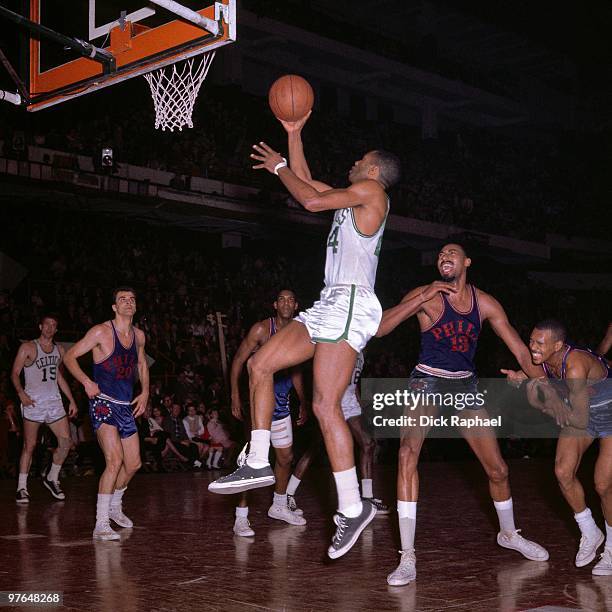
{"points": [[182, 555]]}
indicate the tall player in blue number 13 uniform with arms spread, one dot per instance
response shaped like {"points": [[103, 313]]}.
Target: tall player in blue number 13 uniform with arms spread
{"points": [[450, 314]]}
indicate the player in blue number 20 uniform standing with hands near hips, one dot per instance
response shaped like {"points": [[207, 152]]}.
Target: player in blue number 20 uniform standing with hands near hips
{"points": [[118, 354]]}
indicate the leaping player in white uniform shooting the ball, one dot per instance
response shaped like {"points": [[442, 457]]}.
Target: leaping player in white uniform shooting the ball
{"points": [[333, 331]]}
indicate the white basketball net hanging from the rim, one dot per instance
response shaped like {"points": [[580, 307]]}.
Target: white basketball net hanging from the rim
{"points": [[174, 89]]}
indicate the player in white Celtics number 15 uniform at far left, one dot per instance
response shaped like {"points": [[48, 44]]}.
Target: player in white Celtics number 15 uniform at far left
{"points": [[41, 403]]}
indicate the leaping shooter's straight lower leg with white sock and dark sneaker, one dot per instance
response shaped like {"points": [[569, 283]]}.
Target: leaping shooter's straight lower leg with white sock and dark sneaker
{"points": [[332, 369]]}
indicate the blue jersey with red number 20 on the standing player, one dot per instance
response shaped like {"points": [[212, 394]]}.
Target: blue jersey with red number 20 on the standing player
{"points": [[115, 375]]}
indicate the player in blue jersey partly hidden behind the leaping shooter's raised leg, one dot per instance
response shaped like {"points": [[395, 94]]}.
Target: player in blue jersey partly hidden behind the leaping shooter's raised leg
{"points": [[285, 307]]}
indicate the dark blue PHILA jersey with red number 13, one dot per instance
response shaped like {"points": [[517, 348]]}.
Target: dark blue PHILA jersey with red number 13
{"points": [[448, 347]]}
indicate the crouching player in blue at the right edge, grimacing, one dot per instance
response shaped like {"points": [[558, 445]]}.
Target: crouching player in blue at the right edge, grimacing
{"points": [[582, 405]]}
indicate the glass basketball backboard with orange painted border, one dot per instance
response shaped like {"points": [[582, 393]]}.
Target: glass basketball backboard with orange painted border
{"points": [[138, 35]]}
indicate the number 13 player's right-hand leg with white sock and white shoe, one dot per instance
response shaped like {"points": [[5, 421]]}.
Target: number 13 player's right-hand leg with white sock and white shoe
{"points": [[483, 442]]}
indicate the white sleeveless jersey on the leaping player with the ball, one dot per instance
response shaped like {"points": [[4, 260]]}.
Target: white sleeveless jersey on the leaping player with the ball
{"points": [[352, 257]]}
